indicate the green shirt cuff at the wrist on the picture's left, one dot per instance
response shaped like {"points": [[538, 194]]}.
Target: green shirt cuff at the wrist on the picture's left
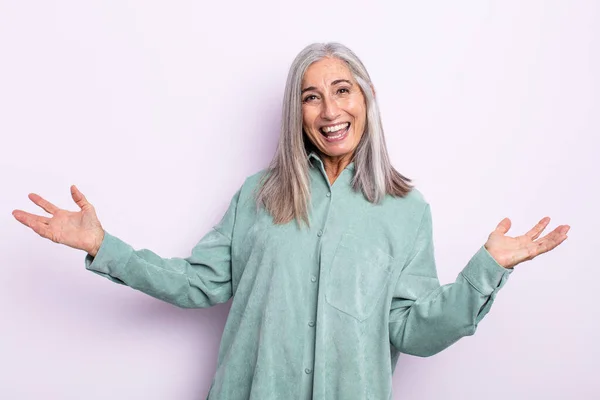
{"points": [[111, 259]]}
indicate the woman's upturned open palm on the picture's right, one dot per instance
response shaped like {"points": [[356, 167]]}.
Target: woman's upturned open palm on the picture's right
{"points": [[510, 251]]}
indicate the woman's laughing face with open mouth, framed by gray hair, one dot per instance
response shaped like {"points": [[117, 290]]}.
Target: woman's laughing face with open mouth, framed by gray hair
{"points": [[333, 108]]}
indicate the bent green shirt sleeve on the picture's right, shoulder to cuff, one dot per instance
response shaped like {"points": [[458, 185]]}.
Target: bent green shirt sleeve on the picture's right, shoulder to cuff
{"points": [[426, 318]]}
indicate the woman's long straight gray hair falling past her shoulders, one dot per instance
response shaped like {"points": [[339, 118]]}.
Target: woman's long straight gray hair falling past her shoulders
{"points": [[284, 190]]}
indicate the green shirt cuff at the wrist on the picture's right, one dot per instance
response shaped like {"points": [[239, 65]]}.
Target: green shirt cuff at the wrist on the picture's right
{"points": [[484, 273]]}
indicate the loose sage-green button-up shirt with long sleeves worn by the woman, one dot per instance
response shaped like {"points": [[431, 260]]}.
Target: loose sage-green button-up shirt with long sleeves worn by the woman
{"points": [[318, 313]]}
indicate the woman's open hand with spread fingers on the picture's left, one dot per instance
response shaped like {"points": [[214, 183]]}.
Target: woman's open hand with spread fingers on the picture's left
{"points": [[80, 230]]}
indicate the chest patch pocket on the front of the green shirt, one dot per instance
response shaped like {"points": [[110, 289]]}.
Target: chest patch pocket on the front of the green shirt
{"points": [[358, 277]]}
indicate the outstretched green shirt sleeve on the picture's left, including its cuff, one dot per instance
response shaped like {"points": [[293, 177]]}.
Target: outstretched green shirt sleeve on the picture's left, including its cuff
{"points": [[201, 280]]}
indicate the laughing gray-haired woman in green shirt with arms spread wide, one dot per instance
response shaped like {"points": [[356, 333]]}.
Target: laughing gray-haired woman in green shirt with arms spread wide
{"points": [[327, 253]]}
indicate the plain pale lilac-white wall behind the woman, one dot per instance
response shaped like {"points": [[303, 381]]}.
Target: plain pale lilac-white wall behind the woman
{"points": [[158, 111]]}
